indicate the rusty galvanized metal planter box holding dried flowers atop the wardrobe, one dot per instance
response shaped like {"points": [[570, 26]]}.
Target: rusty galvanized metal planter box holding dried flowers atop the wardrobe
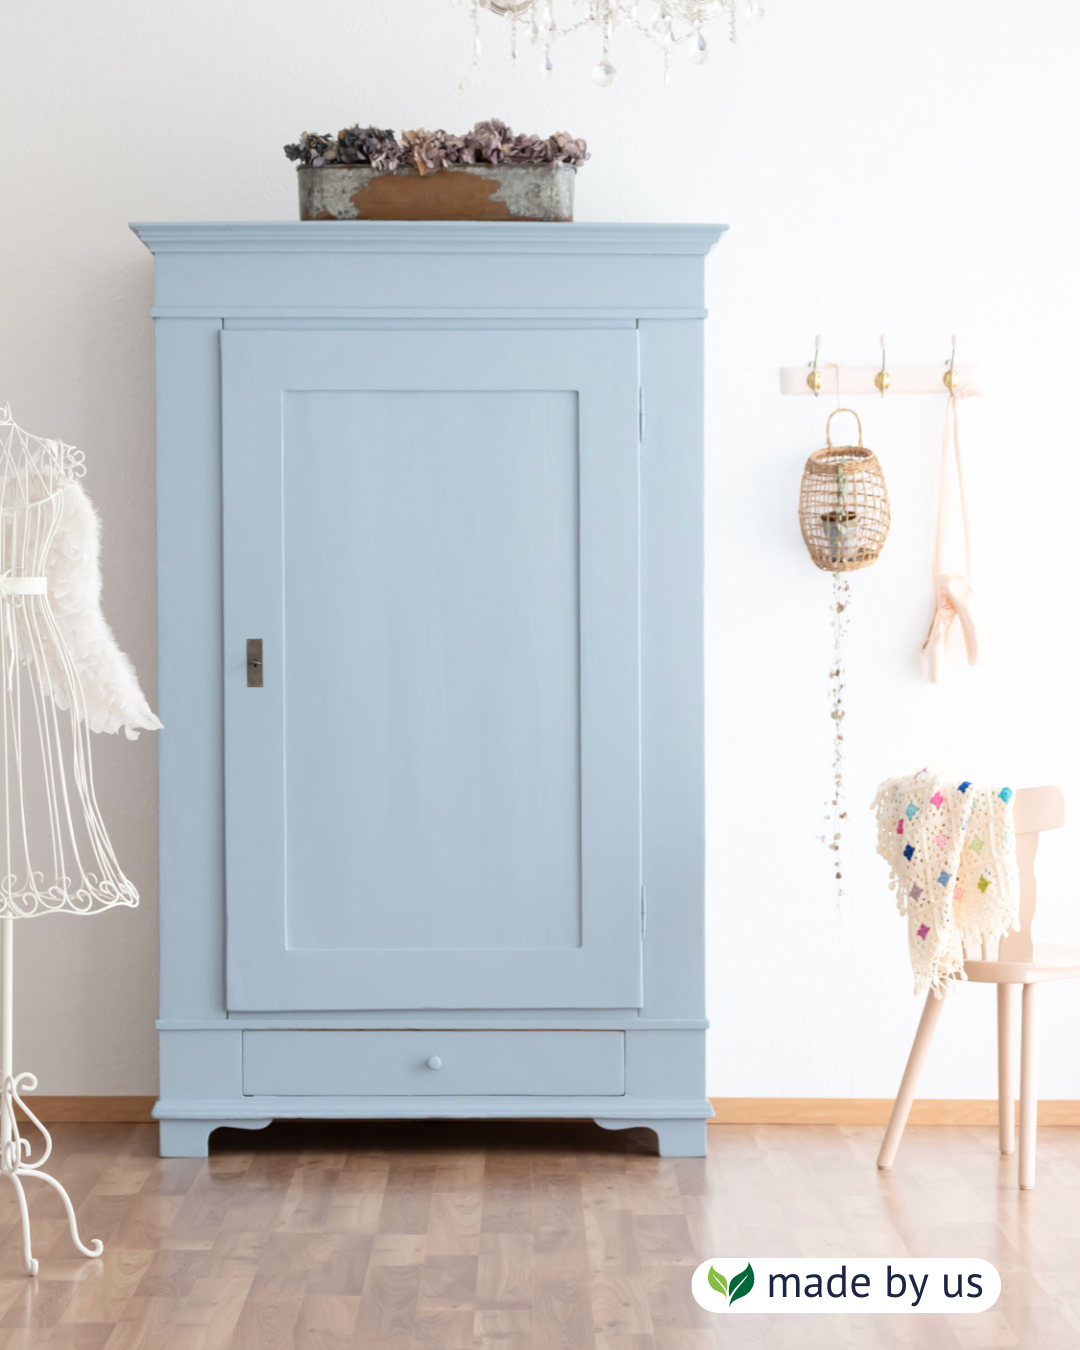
{"points": [[462, 192]]}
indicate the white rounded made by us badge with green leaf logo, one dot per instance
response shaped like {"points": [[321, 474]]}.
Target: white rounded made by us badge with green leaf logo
{"points": [[880, 1285]]}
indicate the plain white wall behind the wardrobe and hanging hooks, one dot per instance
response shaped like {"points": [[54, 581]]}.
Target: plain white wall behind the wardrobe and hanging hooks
{"points": [[885, 167]]}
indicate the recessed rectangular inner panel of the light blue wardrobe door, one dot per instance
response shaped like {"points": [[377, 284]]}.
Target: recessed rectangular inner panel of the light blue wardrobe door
{"points": [[433, 727]]}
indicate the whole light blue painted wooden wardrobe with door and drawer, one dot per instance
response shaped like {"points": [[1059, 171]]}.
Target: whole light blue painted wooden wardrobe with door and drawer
{"points": [[430, 535]]}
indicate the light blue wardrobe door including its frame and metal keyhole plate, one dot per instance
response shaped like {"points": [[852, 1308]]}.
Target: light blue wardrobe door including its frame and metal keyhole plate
{"points": [[433, 777]]}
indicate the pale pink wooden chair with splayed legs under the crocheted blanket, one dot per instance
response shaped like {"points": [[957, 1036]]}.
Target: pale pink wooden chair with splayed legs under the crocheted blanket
{"points": [[1016, 961]]}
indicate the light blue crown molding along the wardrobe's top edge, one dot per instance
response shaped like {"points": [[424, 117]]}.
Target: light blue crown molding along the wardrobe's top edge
{"points": [[515, 237]]}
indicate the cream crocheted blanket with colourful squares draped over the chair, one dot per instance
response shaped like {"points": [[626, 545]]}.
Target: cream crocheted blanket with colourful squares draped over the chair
{"points": [[952, 855]]}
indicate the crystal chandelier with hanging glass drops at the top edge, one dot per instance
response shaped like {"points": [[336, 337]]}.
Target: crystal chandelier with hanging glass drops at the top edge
{"points": [[665, 24]]}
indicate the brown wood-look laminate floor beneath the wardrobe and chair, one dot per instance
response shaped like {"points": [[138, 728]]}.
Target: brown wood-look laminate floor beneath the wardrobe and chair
{"points": [[508, 1237]]}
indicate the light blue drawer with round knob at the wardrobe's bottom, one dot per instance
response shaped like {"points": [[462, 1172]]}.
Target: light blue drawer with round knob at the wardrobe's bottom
{"points": [[434, 1063]]}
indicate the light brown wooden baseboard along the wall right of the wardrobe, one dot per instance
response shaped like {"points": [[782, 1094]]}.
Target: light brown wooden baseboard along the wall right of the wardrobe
{"points": [[874, 1112]]}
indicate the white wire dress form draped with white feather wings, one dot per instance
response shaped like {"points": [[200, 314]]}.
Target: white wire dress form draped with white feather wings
{"points": [[55, 646]]}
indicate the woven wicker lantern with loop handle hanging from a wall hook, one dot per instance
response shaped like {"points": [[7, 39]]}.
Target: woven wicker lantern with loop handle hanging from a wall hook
{"points": [[844, 504]]}
